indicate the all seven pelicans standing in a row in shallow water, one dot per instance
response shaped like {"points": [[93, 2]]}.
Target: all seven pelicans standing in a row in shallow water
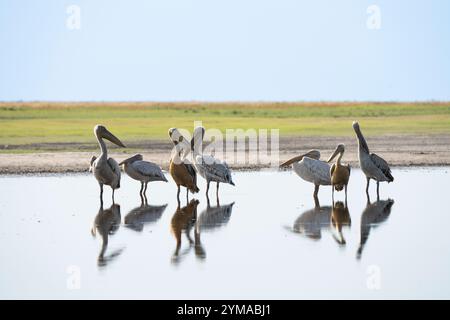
{"points": [[187, 160]]}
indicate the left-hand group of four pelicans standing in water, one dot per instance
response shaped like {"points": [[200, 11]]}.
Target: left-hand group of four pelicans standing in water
{"points": [[186, 162]]}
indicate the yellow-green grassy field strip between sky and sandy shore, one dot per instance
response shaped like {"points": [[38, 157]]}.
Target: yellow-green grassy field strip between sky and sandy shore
{"points": [[42, 122]]}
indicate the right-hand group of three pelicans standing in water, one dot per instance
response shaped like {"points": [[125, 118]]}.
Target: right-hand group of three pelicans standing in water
{"points": [[310, 168]]}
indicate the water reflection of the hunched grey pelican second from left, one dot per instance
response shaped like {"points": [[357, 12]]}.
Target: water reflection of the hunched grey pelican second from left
{"points": [[142, 215]]}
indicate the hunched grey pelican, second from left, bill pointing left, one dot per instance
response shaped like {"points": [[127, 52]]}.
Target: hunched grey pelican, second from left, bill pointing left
{"points": [[142, 171]]}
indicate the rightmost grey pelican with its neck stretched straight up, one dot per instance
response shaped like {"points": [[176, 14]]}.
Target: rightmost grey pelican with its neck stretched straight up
{"points": [[373, 166]]}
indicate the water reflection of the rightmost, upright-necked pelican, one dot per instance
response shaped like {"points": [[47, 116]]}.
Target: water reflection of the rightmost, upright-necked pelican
{"points": [[373, 215]]}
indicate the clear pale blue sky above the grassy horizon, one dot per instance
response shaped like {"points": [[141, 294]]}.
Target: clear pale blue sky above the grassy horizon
{"points": [[284, 50]]}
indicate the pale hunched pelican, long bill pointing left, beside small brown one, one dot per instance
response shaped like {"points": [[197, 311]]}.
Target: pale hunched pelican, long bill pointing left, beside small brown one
{"points": [[308, 167]]}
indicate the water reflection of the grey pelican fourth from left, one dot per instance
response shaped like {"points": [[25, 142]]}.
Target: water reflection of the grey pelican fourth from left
{"points": [[211, 218]]}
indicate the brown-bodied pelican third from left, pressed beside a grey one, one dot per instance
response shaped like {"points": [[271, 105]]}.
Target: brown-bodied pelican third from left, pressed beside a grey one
{"points": [[182, 173]]}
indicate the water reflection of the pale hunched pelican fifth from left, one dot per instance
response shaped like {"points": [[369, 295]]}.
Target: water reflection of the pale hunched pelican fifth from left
{"points": [[311, 222]]}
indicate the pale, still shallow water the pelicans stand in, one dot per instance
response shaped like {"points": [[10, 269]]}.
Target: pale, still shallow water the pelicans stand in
{"points": [[271, 243]]}
